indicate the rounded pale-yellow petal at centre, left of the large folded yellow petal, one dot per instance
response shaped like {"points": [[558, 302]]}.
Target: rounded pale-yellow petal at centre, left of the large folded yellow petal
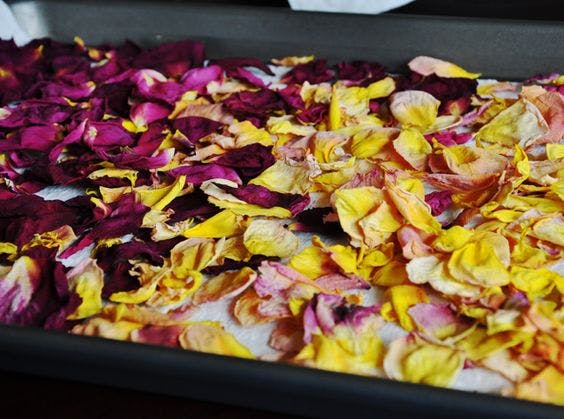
{"points": [[270, 238]]}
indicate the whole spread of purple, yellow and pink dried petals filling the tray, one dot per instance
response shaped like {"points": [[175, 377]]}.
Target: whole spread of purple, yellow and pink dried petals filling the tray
{"points": [[325, 201]]}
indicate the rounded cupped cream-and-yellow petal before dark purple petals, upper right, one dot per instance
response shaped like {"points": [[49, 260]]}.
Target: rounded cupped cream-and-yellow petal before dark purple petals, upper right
{"points": [[414, 108]]}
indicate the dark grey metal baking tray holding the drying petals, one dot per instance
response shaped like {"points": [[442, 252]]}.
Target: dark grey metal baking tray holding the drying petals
{"points": [[505, 49]]}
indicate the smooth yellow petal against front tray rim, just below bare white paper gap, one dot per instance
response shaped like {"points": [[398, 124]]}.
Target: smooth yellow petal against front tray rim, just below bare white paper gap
{"points": [[212, 338]]}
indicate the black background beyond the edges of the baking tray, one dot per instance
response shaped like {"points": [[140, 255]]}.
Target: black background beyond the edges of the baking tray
{"points": [[25, 396]]}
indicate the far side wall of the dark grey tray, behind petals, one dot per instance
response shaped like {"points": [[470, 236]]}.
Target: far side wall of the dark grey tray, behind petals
{"points": [[500, 48]]}
